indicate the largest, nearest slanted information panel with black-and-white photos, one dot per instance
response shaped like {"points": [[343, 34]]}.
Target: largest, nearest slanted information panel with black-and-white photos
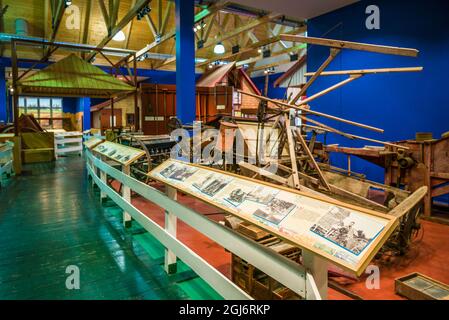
{"points": [[343, 234]]}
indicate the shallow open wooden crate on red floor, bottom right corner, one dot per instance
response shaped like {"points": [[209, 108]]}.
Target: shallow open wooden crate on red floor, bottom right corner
{"points": [[416, 286]]}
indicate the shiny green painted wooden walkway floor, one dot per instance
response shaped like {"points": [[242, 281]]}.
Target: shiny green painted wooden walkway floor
{"points": [[50, 218]]}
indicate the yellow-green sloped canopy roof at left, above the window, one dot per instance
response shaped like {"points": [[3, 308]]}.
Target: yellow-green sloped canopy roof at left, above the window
{"points": [[72, 76]]}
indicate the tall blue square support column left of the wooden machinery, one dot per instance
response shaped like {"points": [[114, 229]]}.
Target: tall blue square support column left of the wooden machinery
{"points": [[185, 61]]}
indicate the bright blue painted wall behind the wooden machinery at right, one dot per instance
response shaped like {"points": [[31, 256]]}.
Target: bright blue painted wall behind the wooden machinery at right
{"points": [[402, 104]]}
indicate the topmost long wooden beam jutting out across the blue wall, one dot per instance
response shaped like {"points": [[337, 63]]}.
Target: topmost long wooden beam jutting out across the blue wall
{"points": [[339, 44]]}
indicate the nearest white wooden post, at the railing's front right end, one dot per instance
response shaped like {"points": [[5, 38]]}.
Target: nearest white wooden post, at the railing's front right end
{"points": [[318, 268]]}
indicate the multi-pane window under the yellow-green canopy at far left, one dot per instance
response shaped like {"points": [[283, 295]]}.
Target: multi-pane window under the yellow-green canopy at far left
{"points": [[47, 111]]}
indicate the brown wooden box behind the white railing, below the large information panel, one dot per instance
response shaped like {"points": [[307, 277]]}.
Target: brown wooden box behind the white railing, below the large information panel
{"points": [[253, 281]]}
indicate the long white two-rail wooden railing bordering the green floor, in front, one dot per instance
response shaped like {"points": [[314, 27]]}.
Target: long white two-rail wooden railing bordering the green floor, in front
{"points": [[285, 271]]}
